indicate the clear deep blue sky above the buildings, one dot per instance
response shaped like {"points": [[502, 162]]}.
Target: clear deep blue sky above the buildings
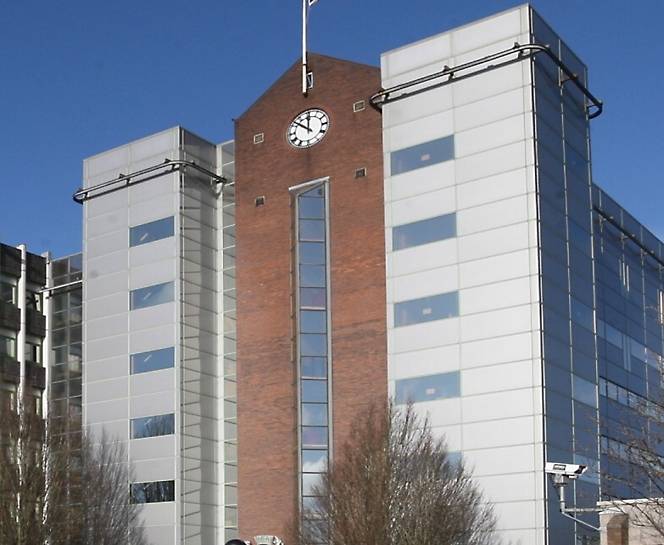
{"points": [[78, 77]]}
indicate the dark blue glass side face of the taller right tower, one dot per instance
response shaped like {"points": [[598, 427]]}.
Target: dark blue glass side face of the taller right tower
{"points": [[567, 274]]}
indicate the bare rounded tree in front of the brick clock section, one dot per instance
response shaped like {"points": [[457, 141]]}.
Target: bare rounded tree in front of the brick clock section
{"points": [[394, 483]]}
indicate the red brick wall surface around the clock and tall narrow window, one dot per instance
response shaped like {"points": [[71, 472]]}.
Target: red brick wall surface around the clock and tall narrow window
{"points": [[267, 448]]}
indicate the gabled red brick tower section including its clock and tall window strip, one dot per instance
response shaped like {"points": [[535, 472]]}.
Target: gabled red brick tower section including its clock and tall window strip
{"points": [[311, 289]]}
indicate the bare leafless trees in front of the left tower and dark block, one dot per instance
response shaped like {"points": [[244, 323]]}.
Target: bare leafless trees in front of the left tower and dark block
{"points": [[61, 488]]}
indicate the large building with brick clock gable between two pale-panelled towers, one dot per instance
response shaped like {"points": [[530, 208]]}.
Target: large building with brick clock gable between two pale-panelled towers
{"points": [[428, 230]]}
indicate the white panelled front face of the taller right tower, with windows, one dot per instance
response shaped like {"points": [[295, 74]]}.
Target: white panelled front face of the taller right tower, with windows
{"points": [[491, 338]]}
